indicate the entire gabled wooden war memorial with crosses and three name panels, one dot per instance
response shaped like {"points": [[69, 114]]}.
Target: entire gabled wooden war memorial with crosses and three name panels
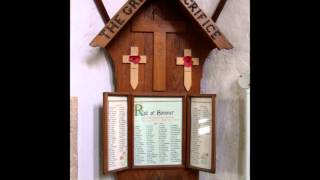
{"points": [[157, 125]]}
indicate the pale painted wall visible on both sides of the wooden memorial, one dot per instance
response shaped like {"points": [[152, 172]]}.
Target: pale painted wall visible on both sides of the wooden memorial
{"points": [[91, 75]]}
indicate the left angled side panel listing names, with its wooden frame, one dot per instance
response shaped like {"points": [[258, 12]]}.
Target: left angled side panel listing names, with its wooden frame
{"points": [[116, 110]]}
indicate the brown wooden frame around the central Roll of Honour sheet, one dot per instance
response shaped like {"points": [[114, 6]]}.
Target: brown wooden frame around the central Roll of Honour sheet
{"points": [[183, 145]]}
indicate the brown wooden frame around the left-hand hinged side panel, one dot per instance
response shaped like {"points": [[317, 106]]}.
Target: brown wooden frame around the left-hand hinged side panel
{"points": [[105, 131]]}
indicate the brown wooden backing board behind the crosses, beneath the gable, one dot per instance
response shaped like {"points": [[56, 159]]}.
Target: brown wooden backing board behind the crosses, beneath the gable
{"points": [[175, 44]]}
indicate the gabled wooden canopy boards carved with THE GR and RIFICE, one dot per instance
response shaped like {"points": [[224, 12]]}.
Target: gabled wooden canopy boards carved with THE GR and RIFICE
{"points": [[131, 7]]}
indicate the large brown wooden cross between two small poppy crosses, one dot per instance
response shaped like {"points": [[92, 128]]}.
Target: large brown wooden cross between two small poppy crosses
{"points": [[159, 28]]}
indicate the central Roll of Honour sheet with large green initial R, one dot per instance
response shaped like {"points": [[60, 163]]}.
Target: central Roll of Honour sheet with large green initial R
{"points": [[158, 131]]}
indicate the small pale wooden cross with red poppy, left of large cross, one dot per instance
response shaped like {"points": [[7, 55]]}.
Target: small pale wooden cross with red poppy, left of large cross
{"points": [[134, 59]]}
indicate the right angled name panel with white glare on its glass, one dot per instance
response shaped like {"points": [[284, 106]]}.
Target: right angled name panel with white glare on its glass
{"points": [[201, 142]]}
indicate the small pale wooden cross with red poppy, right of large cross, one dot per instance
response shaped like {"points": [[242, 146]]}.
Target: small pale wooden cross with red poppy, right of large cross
{"points": [[187, 61]]}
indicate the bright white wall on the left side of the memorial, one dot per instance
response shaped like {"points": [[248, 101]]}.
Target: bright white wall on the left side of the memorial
{"points": [[90, 76]]}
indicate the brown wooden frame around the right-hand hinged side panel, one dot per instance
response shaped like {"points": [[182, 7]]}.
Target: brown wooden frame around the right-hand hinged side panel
{"points": [[213, 128]]}
